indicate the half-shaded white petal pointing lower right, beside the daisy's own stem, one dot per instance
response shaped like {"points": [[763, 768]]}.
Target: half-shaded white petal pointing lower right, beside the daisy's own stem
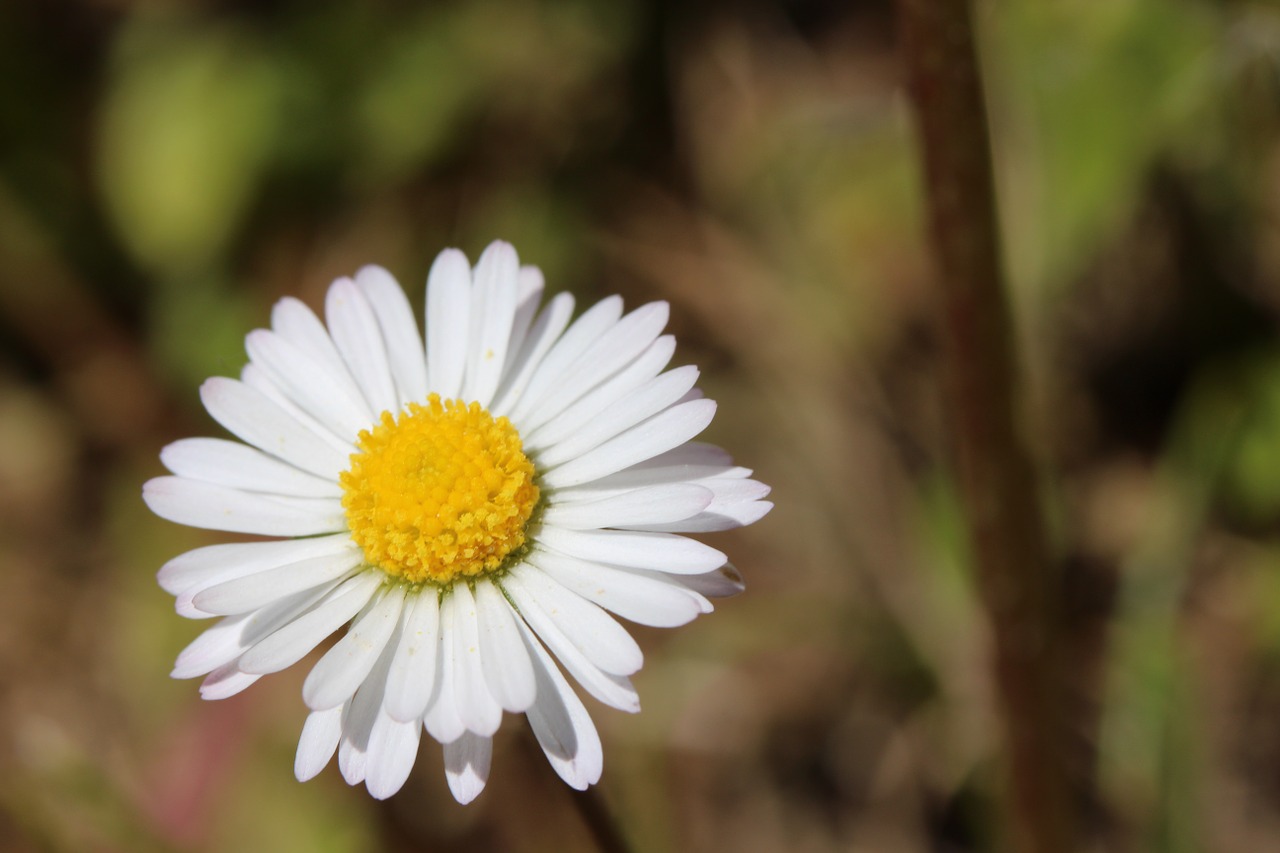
{"points": [[561, 723]]}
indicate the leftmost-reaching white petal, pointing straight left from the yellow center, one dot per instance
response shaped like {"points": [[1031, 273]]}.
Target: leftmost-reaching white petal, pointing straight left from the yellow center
{"points": [[217, 508]]}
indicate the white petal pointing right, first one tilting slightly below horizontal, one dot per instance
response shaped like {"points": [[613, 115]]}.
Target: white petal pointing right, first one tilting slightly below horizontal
{"points": [[637, 550]]}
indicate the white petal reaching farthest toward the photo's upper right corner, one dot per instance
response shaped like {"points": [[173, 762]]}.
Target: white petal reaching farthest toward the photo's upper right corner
{"points": [[630, 337]]}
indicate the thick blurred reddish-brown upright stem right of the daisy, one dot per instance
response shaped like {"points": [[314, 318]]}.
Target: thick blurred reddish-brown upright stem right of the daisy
{"points": [[1017, 576]]}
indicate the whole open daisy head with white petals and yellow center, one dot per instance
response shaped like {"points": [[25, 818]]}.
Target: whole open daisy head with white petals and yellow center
{"points": [[472, 512]]}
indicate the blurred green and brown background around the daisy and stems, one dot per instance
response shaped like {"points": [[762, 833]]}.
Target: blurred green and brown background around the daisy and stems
{"points": [[170, 170]]}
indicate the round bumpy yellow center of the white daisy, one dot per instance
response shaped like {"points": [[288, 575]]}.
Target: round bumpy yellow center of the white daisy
{"points": [[440, 492]]}
